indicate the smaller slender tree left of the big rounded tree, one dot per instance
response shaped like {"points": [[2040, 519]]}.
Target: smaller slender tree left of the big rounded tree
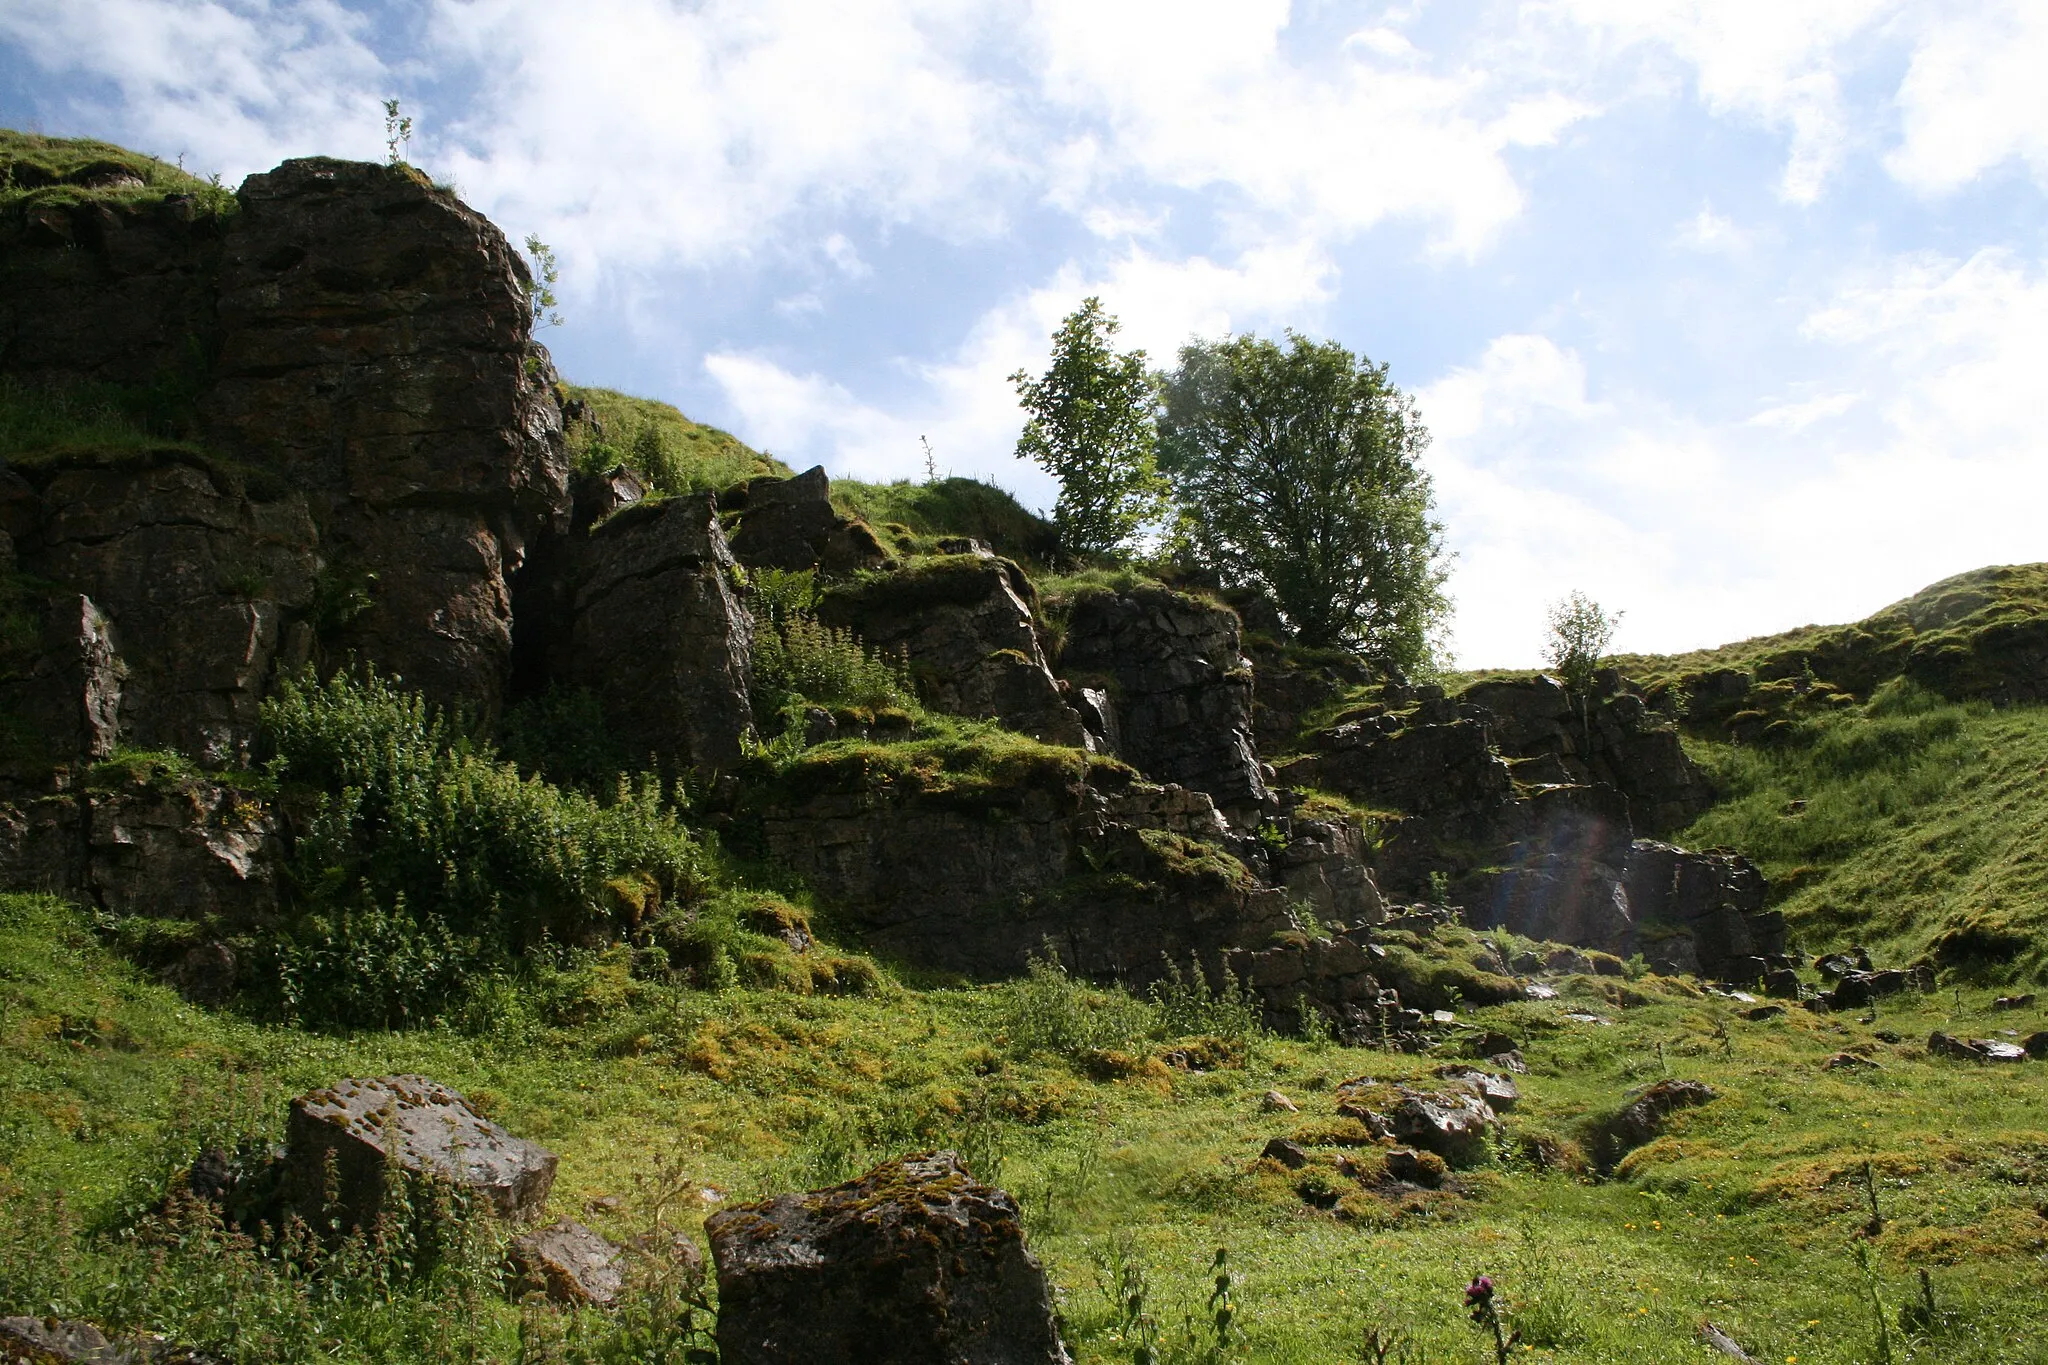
{"points": [[1093, 429]]}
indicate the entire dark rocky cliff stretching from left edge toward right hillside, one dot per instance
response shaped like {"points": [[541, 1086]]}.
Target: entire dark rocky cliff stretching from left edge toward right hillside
{"points": [[347, 451]]}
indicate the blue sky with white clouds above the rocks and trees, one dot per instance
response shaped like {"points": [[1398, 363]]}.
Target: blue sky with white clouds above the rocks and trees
{"points": [[1727, 314]]}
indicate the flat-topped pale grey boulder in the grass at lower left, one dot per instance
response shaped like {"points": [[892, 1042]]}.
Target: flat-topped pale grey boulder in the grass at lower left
{"points": [[425, 1129]]}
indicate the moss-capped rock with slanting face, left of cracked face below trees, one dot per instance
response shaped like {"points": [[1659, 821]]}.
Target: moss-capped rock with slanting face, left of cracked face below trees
{"points": [[966, 627]]}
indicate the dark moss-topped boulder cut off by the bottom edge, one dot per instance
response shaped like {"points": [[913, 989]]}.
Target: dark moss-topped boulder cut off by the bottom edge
{"points": [[908, 1266]]}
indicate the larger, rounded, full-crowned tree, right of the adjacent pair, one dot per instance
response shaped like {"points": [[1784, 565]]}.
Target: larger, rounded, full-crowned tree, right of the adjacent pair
{"points": [[1299, 474]]}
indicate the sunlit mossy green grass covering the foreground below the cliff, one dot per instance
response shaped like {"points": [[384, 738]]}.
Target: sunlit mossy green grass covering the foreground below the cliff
{"points": [[1746, 1213]]}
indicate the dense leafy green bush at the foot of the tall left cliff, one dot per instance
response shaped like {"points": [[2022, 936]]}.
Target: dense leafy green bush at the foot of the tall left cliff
{"points": [[425, 861]]}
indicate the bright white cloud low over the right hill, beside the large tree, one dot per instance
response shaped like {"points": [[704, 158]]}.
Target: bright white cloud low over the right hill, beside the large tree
{"points": [[1709, 533]]}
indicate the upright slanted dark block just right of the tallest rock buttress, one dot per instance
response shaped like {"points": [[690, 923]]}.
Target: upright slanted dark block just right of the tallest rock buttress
{"points": [[663, 637]]}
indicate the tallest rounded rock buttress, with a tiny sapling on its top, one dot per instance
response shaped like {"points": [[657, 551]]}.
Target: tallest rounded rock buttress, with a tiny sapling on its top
{"points": [[376, 349]]}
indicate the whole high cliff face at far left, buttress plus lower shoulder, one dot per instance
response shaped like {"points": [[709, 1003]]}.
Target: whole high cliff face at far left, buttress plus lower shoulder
{"points": [[382, 439]]}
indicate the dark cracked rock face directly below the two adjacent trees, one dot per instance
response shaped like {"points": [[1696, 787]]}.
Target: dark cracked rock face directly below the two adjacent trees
{"points": [[1181, 685]]}
